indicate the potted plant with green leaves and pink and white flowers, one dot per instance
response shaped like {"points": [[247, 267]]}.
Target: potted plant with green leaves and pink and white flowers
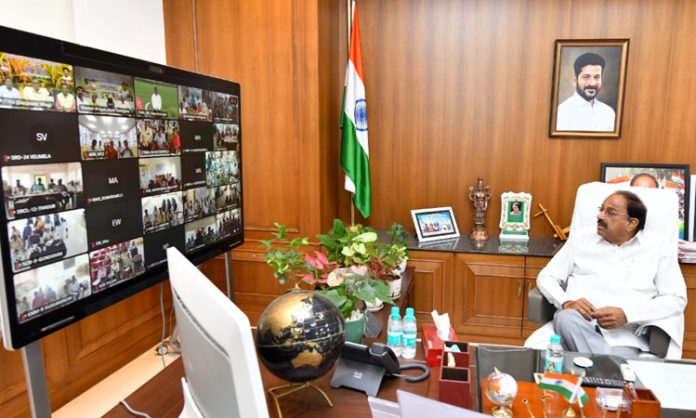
{"points": [[342, 274]]}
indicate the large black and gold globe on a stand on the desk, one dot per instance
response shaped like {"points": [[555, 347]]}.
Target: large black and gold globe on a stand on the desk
{"points": [[299, 337]]}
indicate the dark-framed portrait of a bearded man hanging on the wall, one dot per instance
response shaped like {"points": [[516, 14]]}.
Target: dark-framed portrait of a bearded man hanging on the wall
{"points": [[588, 71]]}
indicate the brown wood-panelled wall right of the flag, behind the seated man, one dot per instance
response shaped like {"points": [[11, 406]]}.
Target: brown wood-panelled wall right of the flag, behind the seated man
{"points": [[457, 89]]}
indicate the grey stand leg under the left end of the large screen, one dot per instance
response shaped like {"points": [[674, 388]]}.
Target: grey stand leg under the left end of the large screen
{"points": [[35, 376]]}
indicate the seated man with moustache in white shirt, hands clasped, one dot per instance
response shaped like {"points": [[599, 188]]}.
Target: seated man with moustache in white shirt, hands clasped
{"points": [[618, 278]]}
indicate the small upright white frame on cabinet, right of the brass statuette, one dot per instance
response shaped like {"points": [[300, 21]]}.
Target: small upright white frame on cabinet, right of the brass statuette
{"points": [[515, 209]]}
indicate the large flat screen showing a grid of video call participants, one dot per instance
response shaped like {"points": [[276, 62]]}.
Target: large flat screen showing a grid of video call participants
{"points": [[106, 161]]}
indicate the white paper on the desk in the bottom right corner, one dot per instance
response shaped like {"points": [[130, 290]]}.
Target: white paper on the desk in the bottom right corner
{"points": [[674, 384]]}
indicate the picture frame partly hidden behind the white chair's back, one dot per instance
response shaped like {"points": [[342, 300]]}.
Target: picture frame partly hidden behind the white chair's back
{"points": [[674, 177]]}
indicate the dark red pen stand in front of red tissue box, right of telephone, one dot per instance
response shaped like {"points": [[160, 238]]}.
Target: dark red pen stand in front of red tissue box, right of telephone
{"points": [[455, 380]]}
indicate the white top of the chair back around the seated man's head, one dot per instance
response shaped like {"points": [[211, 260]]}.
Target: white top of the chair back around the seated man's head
{"points": [[663, 208]]}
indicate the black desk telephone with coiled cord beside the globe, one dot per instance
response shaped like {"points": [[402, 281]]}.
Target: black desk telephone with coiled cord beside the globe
{"points": [[362, 367]]}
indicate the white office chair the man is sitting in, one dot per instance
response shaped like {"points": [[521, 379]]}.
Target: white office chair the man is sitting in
{"points": [[665, 336]]}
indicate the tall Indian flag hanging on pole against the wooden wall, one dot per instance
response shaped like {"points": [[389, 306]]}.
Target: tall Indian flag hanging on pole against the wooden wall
{"points": [[354, 149]]}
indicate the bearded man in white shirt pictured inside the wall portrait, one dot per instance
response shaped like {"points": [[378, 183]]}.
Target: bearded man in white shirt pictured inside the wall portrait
{"points": [[583, 111]]}
